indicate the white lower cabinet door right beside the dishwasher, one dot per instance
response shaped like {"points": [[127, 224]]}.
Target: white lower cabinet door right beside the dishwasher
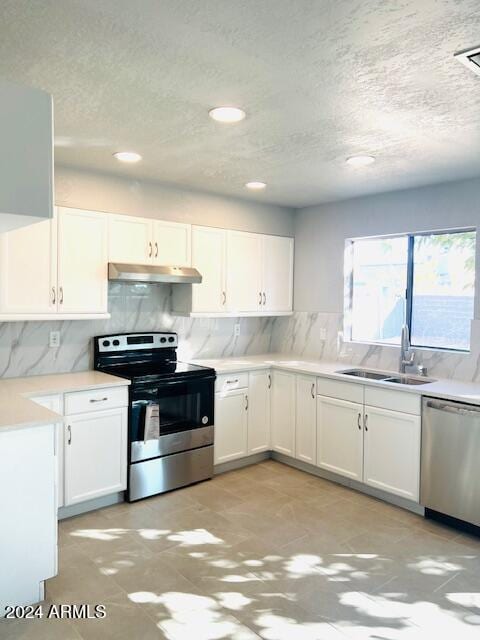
{"points": [[392, 452]]}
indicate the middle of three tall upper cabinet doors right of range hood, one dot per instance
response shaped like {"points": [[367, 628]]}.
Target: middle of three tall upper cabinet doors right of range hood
{"points": [[244, 271]]}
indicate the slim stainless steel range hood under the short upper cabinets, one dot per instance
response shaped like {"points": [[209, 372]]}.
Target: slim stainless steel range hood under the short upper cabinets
{"points": [[152, 273]]}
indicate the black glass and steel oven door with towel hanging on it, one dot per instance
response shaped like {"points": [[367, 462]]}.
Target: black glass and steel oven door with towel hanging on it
{"points": [[186, 413]]}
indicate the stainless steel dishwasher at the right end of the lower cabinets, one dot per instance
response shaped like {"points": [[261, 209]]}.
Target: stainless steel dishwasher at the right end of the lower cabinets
{"points": [[450, 473]]}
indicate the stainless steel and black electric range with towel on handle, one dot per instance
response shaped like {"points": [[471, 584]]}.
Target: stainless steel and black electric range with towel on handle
{"points": [[171, 411]]}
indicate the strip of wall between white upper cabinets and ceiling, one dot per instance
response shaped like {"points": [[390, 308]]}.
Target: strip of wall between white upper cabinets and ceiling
{"points": [[103, 192]]}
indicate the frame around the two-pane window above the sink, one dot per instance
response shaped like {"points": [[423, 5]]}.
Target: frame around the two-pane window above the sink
{"points": [[348, 284]]}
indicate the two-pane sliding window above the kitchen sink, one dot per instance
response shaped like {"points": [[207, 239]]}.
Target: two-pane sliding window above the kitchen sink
{"points": [[426, 280]]}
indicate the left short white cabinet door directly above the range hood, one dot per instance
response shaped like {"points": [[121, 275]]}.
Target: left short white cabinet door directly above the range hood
{"points": [[129, 240]]}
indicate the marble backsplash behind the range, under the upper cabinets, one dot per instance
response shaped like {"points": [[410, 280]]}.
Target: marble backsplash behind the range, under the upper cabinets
{"points": [[24, 346]]}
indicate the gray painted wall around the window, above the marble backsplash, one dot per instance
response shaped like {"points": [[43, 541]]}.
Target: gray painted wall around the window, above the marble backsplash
{"points": [[320, 233]]}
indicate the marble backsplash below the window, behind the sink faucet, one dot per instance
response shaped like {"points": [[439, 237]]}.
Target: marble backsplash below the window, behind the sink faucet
{"points": [[318, 336]]}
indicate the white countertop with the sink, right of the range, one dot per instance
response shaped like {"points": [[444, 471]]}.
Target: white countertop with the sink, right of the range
{"points": [[442, 388]]}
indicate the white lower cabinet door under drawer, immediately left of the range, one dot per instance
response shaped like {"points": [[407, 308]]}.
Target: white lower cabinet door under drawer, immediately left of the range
{"points": [[95, 454]]}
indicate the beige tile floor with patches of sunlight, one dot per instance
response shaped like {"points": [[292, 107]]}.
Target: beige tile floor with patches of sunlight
{"points": [[266, 551]]}
